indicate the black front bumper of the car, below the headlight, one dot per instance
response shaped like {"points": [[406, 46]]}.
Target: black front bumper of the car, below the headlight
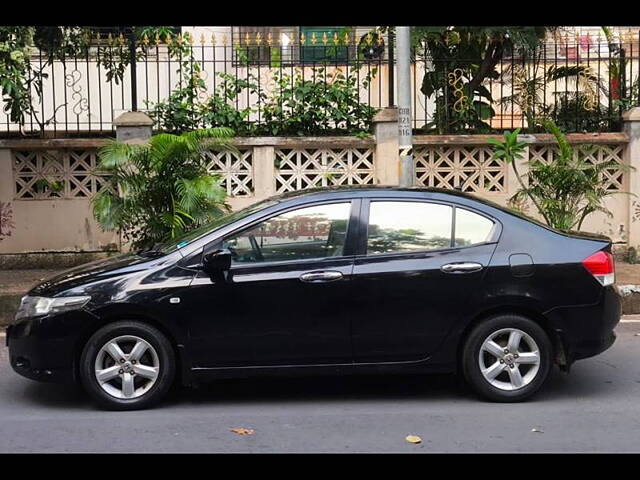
{"points": [[45, 348]]}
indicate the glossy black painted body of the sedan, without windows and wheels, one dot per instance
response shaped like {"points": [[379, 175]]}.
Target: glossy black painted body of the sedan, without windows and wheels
{"points": [[388, 312]]}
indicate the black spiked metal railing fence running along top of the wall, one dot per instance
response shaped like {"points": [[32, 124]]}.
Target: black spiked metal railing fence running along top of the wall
{"points": [[583, 85]]}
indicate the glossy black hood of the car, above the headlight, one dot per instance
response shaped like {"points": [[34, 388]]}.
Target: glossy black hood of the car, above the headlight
{"points": [[90, 272]]}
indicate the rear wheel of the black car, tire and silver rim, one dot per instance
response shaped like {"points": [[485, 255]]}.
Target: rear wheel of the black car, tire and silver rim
{"points": [[511, 374]]}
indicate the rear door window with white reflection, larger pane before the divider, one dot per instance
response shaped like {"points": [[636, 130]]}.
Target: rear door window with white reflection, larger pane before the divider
{"points": [[408, 226]]}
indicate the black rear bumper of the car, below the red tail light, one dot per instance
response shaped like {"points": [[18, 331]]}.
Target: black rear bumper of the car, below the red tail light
{"points": [[586, 331]]}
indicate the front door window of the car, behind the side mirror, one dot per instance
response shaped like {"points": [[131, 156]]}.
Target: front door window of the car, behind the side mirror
{"points": [[312, 232]]}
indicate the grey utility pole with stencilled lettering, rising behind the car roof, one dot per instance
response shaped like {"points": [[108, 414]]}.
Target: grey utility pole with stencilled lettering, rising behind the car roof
{"points": [[405, 140]]}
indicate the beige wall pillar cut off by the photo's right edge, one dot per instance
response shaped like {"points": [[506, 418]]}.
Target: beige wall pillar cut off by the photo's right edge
{"points": [[631, 119]]}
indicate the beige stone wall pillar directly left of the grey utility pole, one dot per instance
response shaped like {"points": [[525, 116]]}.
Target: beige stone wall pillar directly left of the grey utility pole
{"points": [[387, 160]]}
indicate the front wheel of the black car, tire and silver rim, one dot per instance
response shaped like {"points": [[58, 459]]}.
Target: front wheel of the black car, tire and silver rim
{"points": [[132, 384]]}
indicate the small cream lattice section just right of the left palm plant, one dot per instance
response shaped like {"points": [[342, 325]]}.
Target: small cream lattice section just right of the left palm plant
{"points": [[236, 171]]}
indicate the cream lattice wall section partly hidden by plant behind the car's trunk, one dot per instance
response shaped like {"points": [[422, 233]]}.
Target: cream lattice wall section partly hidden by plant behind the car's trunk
{"points": [[612, 178]]}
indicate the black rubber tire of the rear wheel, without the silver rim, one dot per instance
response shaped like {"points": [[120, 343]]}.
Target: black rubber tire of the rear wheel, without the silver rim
{"points": [[471, 351]]}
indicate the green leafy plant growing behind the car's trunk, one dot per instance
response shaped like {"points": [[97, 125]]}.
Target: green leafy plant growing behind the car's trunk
{"points": [[566, 190]]}
